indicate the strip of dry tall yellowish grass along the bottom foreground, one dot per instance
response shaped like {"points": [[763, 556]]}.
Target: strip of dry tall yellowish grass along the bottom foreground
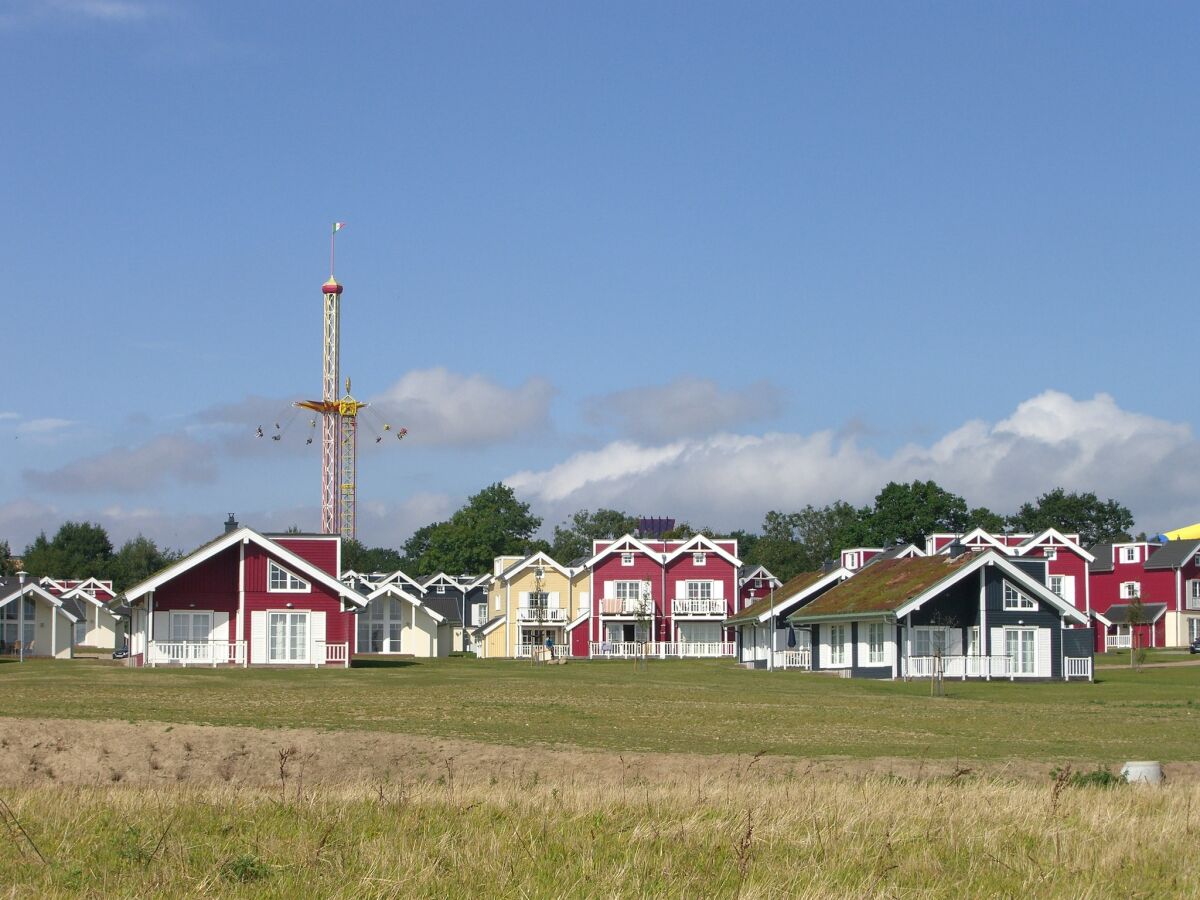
{"points": [[470, 835]]}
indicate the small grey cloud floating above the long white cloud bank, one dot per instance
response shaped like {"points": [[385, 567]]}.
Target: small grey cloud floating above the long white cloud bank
{"points": [[687, 407]]}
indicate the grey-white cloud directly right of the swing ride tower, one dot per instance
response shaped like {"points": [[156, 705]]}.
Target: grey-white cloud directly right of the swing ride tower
{"points": [[443, 409]]}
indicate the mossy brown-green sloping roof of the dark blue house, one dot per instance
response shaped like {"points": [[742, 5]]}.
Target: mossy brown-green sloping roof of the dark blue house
{"points": [[884, 586]]}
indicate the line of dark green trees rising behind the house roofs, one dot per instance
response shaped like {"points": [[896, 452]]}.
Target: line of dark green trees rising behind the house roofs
{"points": [[495, 523]]}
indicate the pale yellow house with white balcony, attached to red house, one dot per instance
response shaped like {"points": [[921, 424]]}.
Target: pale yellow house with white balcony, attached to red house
{"points": [[532, 601]]}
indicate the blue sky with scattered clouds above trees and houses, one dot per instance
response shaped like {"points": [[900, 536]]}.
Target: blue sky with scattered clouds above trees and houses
{"points": [[693, 260]]}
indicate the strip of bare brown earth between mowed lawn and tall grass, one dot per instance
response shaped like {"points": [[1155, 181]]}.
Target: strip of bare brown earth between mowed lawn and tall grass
{"points": [[104, 753]]}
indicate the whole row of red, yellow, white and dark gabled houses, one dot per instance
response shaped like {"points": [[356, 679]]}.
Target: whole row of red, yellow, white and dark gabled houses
{"points": [[976, 605]]}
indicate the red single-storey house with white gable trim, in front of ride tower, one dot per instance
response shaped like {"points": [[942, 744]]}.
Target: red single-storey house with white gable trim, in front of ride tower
{"points": [[248, 599]]}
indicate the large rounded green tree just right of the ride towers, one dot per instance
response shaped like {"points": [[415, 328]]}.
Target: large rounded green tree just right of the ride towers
{"points": [[494, 523]]}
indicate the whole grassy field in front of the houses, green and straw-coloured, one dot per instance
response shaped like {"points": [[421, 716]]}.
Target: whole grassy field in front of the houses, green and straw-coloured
{"points": [[466, 778]]}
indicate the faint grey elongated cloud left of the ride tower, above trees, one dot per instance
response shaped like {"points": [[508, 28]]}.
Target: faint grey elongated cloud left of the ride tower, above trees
{"points": [[131, 470]]}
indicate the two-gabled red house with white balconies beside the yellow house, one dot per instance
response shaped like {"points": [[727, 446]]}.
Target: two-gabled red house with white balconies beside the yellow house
{"points": [[671, 596]]}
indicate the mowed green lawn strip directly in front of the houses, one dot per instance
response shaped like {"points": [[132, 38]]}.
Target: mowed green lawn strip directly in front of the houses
{"points": [[710, 707]]}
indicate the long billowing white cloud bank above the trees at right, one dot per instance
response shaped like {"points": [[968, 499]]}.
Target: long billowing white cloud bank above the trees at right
{"points": [[731, 481]]}
